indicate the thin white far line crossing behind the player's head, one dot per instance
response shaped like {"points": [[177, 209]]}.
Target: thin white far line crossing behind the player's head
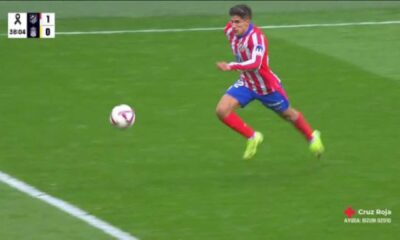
{"points": [[220, 28]]}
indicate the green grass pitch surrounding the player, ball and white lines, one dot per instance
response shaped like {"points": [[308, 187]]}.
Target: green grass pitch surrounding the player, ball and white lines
{"points": [[178, 173]]}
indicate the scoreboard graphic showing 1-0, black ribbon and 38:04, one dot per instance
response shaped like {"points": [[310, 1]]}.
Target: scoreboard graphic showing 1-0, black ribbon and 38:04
{"points": [[31, 25]]}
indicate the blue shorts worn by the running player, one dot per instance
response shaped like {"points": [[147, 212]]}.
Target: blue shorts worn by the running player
{"points": [[275, 101]]}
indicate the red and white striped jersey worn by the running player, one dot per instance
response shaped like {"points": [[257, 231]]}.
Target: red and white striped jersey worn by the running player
{"points": [[251, 52]]}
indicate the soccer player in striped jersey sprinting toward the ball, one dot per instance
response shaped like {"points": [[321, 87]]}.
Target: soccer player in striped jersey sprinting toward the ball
{"points": [[256, 82]]}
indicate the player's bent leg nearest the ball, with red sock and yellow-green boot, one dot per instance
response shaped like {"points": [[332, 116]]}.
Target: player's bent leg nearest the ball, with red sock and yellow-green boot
{"points": [[238, 96]]}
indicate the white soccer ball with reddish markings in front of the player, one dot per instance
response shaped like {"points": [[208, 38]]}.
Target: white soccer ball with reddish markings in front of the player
{"points": [[122, 116]]}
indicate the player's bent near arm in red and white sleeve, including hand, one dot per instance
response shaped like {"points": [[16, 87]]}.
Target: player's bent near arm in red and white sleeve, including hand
{"points": [[257, 49]]}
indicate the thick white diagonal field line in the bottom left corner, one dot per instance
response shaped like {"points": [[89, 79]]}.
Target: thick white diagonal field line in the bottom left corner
{"points": [[66, 207]]}
